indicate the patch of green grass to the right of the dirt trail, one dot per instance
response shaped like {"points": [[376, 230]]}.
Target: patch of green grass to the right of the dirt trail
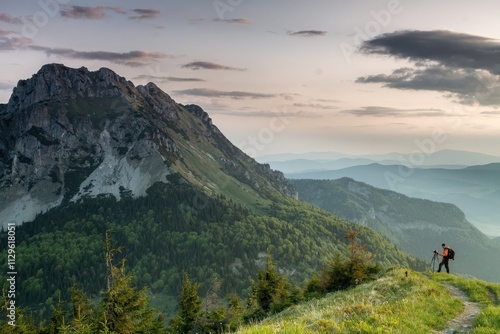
{"points": [[485, 293]]}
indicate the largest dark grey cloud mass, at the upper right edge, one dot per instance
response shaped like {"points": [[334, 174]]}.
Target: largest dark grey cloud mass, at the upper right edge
{"points": [[463, 67]]}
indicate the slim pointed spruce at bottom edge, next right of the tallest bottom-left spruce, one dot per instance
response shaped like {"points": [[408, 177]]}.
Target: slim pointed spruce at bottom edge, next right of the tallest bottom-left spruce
{"points": [[189, 307]]}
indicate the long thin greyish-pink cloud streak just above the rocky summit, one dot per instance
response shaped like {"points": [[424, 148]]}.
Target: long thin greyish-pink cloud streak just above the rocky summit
{"points": [[131, 58]]}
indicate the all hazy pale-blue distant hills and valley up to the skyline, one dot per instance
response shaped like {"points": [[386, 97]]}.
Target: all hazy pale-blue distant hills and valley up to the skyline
{"points": [[468, 180]]}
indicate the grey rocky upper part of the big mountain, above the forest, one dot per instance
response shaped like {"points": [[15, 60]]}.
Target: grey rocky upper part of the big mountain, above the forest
{"points": [[68, 133]]}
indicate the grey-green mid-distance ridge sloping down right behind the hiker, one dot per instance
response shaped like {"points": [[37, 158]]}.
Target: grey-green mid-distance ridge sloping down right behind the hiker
{"points": [[416, 225]]}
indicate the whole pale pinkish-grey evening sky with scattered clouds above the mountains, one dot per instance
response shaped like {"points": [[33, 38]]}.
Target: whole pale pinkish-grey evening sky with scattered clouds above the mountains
{"points": [[287, 76]]}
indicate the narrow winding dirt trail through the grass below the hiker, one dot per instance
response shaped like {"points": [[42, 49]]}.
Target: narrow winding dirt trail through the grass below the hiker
{"points": [[464, 322]]}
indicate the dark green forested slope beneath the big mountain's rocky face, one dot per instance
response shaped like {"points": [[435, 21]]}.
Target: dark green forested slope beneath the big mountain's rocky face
{"points": [[164, 234]]}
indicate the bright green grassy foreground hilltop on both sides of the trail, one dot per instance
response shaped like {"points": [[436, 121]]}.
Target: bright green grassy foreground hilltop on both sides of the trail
{"points": [[395, 303]]}
